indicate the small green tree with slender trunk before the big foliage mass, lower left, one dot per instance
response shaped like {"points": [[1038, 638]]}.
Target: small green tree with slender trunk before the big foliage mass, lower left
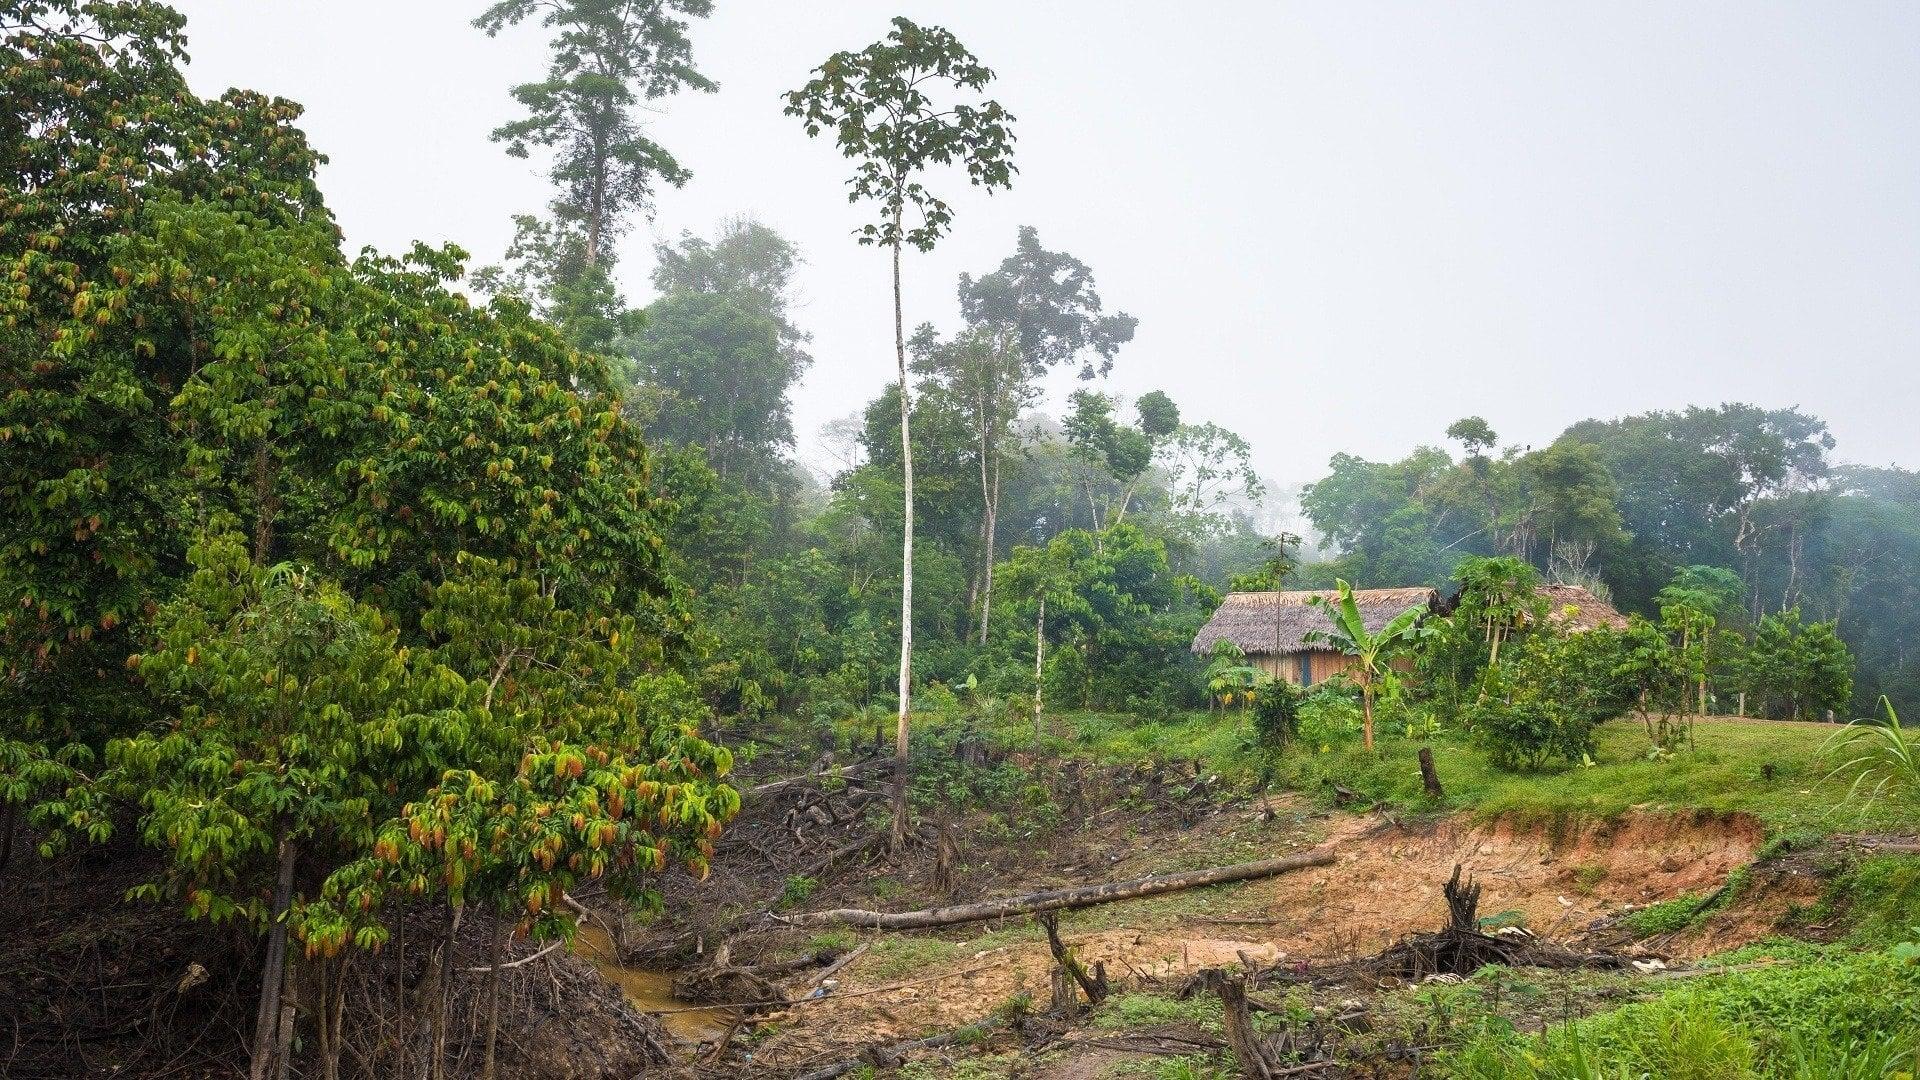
{"points": [[297, 714]]}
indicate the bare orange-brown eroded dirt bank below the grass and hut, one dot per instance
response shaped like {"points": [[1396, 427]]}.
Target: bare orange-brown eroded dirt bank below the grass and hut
{"points": [[1385, 885]]}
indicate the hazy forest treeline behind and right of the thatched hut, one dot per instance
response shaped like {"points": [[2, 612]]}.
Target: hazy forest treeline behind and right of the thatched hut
{"points": [[1735, 512]]}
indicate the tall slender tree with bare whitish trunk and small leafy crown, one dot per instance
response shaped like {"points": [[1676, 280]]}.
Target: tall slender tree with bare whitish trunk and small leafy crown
{"points": [[898, 109]]}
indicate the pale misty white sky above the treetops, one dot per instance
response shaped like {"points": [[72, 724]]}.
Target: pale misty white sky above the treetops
{"points": [[1341, 226]]}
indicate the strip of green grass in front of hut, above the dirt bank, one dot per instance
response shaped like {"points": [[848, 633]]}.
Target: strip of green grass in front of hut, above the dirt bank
{"points": [[1769, 772]]}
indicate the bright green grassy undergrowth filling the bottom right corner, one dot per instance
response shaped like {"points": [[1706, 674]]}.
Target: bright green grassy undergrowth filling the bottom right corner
{"points": [[1813, 1012]]}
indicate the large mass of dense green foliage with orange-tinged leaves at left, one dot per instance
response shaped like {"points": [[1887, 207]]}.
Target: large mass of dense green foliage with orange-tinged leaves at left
{"points": [[343, 593]]}
